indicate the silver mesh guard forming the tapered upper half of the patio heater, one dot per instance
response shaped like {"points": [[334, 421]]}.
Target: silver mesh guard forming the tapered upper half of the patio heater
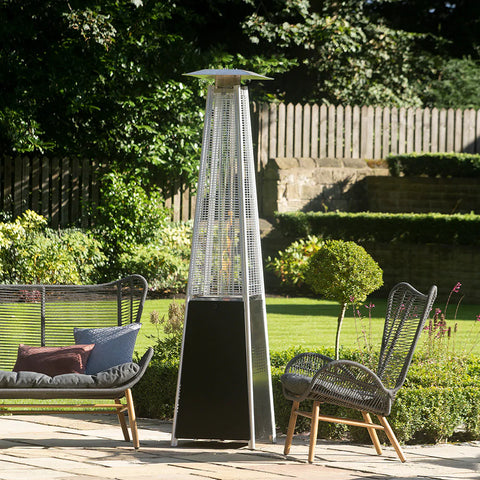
{"points": [[226, 217]]}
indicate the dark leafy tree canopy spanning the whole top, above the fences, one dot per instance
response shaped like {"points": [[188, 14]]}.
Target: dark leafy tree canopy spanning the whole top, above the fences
{"points": [[104, 78]]}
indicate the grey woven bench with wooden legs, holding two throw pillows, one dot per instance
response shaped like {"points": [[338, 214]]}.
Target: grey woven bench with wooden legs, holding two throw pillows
{"points": [[46, 316]]}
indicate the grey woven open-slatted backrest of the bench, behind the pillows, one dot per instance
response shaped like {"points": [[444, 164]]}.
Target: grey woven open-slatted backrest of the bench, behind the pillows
{"points": [[45, 315]]}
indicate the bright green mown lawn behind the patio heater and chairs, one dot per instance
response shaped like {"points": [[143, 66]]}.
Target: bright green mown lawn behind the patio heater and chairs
{"points": [[312, 323]]}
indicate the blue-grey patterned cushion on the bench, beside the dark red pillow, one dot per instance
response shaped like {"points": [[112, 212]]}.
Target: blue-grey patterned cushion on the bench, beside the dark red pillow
{"points": [[113, 345]]}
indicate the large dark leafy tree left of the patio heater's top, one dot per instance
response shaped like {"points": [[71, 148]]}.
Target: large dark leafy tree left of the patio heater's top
{"points": [[100, 79]]}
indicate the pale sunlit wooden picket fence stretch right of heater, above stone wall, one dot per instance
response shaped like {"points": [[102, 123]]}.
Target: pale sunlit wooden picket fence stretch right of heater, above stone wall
{"points": [[363, 132]]}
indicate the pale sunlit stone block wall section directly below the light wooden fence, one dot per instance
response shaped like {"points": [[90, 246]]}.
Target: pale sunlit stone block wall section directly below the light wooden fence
{"points": [[320, 184]]}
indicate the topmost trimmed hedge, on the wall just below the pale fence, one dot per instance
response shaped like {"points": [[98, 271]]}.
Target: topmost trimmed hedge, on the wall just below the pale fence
{"points": [[435, 164]]}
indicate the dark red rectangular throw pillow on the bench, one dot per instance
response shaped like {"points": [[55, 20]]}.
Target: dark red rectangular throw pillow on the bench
{"points": [[53, 360]]}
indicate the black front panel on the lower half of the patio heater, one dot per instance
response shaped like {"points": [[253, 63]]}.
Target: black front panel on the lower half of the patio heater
{"points": [[213, 396]]}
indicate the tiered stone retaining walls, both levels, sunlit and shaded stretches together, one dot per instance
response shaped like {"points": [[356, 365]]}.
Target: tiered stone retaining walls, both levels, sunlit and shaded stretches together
{"points": [[351, 185]]}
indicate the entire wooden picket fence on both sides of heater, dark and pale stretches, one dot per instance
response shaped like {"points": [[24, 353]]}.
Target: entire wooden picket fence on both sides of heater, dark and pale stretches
{"points": [[63, 189]]}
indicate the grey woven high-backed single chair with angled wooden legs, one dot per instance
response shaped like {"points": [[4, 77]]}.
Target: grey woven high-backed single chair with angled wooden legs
{"points": [[311, 376]]}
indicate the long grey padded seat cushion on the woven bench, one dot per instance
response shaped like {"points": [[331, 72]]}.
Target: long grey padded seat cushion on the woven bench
{"points": [[113, 377]]}
